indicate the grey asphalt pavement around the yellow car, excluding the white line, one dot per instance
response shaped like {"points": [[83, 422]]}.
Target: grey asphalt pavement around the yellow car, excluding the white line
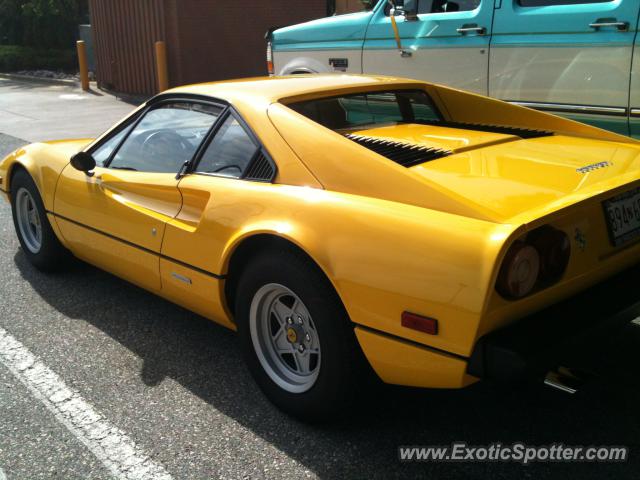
{"points": [[175, 385]]}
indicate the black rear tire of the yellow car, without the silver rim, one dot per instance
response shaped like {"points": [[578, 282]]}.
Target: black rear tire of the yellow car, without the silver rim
{"points": [[343, 369]]}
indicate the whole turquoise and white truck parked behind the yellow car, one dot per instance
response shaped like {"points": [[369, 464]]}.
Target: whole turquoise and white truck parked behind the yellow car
{"points": [[577, 58]]}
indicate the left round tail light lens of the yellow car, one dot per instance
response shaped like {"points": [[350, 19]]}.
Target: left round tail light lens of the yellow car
{"points": [[519, 272]]}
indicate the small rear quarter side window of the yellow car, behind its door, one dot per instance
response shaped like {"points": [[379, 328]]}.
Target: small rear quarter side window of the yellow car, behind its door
{"points": [[230, 151]]}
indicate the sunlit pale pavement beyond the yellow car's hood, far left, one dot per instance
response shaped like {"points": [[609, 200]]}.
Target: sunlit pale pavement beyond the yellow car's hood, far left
{"points": [[38, 110]]}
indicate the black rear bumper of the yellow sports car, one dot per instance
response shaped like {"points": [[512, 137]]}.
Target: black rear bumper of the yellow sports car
{"points": [[537, 343]]}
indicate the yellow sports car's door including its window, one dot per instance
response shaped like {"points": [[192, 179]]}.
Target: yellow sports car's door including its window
{"points": [[116, 217]]}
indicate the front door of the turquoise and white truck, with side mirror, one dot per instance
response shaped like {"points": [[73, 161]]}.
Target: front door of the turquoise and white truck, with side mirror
{"points": [[447, 43]]}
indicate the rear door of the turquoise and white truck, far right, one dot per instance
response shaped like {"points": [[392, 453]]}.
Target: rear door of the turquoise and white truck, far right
{"points": [[571, 57]]}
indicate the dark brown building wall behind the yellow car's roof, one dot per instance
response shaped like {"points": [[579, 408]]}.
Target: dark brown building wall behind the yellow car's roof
{"points": [[206, 39]]}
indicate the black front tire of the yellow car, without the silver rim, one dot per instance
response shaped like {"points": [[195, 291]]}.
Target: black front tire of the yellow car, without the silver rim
{"points": [[51, 255]]}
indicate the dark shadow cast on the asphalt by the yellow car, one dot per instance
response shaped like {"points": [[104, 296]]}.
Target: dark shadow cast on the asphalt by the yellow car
{"points": [[205, 359]]}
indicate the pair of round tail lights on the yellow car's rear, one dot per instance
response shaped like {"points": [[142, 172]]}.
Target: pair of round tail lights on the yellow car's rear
{"points": [[536, 261]]}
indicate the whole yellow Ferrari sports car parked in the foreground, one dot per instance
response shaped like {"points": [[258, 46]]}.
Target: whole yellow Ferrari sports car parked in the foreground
{"points": [[347, 224]]}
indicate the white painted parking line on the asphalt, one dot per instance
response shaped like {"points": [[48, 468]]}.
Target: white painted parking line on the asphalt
{"points": [[123, 458]]}
